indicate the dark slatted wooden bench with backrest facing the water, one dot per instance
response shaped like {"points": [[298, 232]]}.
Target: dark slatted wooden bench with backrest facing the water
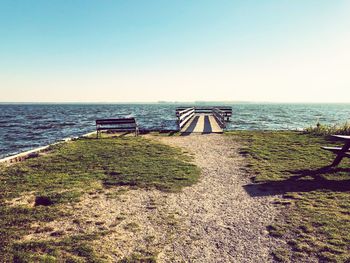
{"points": [[120, 125]]}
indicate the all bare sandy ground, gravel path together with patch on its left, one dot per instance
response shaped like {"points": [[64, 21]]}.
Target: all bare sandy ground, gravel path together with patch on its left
{"points": [[215, 220]]}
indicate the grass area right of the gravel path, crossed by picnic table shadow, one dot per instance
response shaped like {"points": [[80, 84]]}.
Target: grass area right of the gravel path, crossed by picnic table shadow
{"points": [[315, 205]]}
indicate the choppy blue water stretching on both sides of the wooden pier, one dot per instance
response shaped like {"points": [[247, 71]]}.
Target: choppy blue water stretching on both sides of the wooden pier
{"points": [[26, 126]]}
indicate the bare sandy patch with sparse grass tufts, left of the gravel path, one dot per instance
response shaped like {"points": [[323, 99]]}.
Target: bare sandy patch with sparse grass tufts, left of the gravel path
{"points": [[129, 221]]}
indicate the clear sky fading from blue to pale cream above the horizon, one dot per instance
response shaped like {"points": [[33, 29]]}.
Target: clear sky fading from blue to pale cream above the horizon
{"points": [[183, 50]]}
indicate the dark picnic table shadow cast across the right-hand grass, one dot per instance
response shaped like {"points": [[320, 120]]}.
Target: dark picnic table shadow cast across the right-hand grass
{"points": [[302, 181]]}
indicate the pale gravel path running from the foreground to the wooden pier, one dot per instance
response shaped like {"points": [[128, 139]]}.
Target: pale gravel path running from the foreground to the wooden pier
{"points": [[222, 223]]}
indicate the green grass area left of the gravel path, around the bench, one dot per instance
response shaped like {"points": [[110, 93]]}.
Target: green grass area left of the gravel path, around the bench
{"points": [[67, 172]]}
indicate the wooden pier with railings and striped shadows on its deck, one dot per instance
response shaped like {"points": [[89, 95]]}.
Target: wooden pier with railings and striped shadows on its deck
{"points": [[202, 119]]}
